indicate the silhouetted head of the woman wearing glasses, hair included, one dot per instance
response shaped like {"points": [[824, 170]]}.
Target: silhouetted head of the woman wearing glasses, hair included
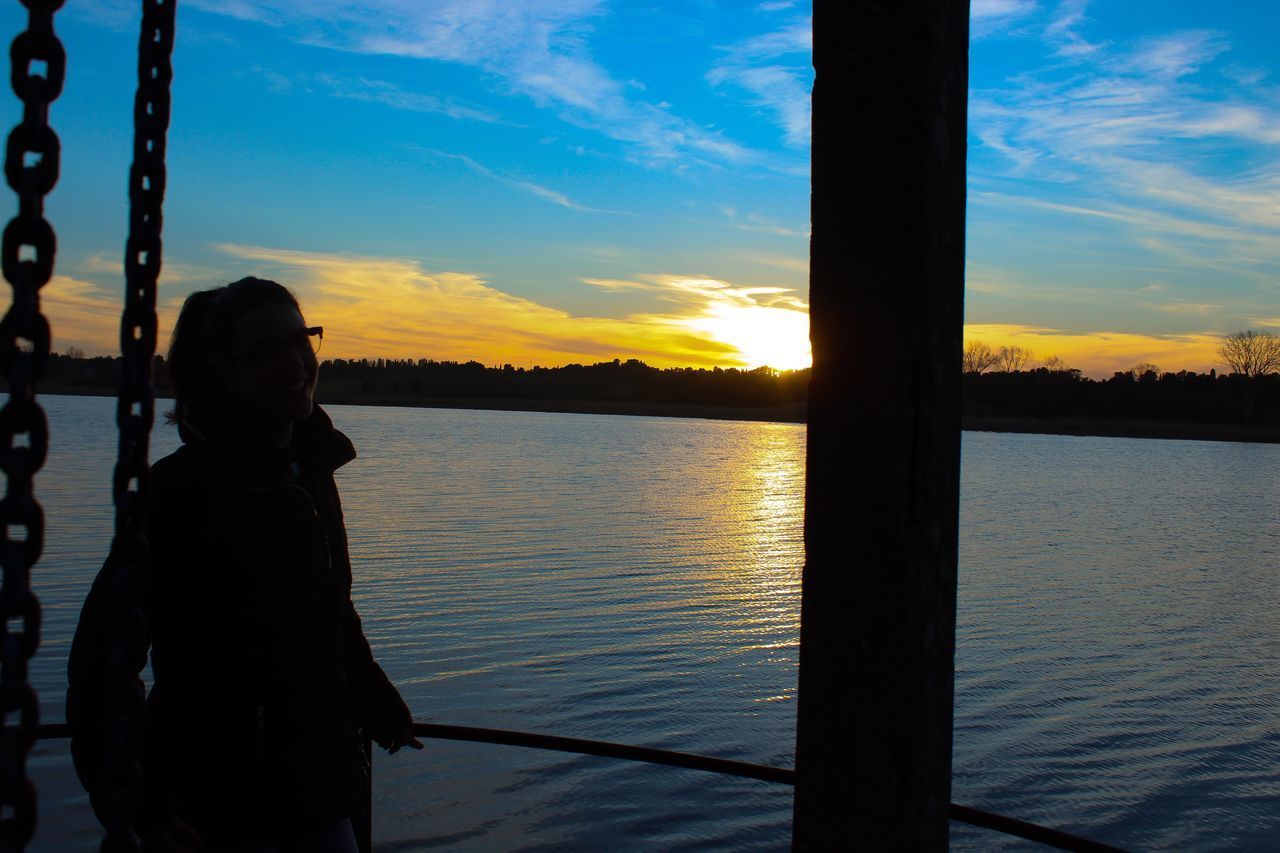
{"points": [[243, 352]]}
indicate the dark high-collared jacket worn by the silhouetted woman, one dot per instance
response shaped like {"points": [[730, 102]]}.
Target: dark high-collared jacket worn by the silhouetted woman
{"points": [[262, 670]]}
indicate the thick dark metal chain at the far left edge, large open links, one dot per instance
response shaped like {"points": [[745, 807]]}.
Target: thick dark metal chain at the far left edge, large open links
{"points": [[39, 65]]}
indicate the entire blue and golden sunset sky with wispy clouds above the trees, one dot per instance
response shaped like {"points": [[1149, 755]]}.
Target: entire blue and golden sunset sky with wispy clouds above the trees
{"points": [[574, 181]]}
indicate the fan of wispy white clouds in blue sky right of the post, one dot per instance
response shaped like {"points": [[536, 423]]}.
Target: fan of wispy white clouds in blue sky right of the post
{"points": [[1135, 120]]}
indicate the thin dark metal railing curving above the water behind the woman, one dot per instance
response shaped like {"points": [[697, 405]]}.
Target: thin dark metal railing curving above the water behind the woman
{"points": [[747, 770]]}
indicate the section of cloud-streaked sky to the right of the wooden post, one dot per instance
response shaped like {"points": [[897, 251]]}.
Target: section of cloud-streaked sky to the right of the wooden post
{"points": [[1124, 195]]}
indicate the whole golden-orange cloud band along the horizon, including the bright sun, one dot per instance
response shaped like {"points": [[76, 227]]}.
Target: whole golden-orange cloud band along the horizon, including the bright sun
{"points": [[374, 307]]}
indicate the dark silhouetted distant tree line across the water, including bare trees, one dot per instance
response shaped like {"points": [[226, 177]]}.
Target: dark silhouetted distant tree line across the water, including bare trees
{"points": [[998, 384]]}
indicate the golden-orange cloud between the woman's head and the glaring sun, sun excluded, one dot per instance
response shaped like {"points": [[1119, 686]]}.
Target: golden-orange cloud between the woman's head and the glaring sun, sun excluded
{"points": [[382, 307]]}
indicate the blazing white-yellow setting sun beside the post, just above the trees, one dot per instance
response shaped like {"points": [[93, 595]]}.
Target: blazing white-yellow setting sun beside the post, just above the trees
{"points": [[762, 335]]}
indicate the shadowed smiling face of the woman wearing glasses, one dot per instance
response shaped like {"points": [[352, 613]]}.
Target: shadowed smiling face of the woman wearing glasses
{"points": [[272, 368]]}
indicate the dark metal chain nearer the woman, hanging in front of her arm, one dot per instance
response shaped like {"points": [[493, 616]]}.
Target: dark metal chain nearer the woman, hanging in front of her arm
{"points": [[135, 416]]}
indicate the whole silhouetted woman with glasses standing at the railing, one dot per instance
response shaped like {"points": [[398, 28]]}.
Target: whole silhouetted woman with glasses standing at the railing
{"points": [[262, 672]]}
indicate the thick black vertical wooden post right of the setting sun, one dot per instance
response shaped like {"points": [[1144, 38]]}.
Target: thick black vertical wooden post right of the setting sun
{"points": [[874, 743]]}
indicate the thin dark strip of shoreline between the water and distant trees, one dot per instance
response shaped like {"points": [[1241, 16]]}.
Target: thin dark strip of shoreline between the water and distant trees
{"points": [[794, 413]]}
